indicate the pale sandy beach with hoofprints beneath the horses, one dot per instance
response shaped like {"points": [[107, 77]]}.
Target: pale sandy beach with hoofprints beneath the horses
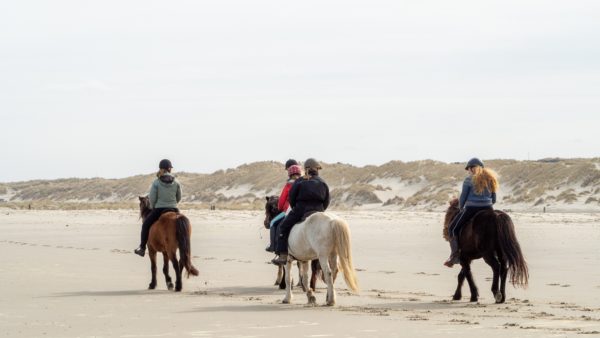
{"points": [[73, 274]]}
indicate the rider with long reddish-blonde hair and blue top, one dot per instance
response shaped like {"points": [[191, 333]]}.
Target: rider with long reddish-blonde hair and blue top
{"points": [[478, 193]]}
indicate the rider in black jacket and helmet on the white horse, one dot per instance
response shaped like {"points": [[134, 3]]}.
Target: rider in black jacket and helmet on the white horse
{"points": [[308, 195]]}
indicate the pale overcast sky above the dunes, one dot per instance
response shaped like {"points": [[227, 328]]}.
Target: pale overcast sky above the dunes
{"points": [[109, 88]]}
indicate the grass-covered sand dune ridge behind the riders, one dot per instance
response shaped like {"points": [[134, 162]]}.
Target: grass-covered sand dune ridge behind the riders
{"points": [[554, 184]]}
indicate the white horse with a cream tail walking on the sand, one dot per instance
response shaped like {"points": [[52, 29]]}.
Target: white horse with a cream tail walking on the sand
{"points": [[325, 237]]}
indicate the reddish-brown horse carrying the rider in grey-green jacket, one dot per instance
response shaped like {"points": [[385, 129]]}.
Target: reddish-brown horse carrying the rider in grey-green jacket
{"points": [[172, 231]]}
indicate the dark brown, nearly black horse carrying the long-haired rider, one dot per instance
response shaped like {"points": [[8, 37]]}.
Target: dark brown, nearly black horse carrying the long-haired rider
{"points": [[489, 235]]}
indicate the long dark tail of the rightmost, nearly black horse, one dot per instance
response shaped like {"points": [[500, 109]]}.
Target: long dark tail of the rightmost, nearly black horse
{"points": [[511, 250]]}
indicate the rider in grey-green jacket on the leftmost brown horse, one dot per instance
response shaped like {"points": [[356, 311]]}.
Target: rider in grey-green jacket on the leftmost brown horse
{"points": [[164, 195]]}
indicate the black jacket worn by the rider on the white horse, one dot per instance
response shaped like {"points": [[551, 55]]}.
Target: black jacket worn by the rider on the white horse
{"points": [[309, 195]]}
